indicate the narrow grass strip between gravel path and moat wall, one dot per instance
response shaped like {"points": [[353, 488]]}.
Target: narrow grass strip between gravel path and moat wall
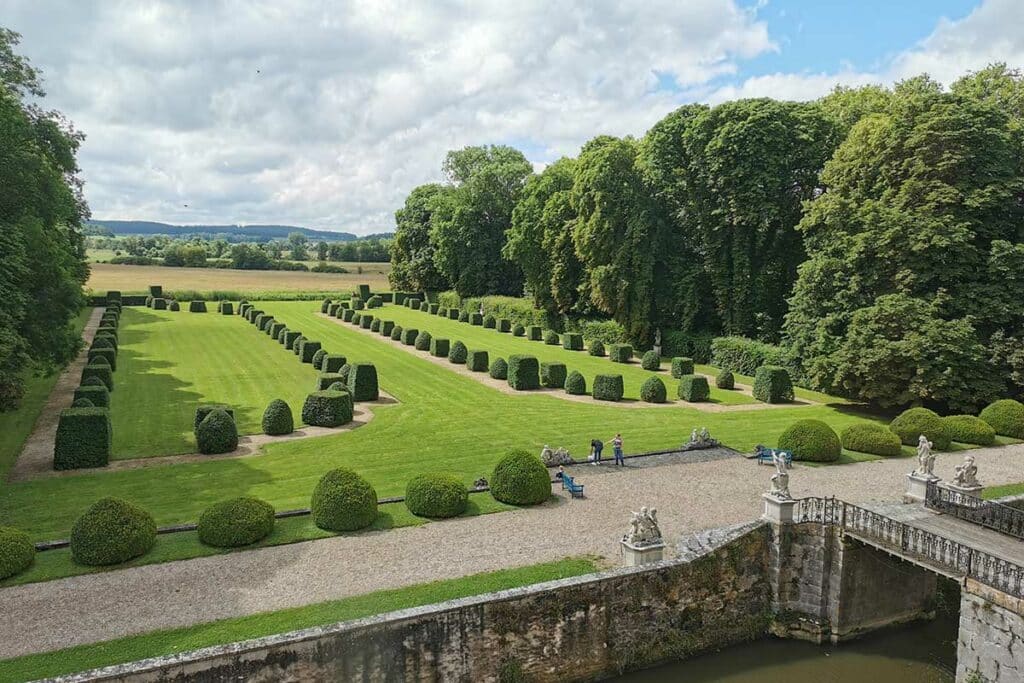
{"points": [[227, 631]]}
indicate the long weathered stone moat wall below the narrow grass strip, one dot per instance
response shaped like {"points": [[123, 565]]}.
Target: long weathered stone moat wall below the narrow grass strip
{"points": [[578, 629]]}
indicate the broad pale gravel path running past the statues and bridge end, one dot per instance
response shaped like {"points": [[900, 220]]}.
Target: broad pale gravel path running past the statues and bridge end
{"points": [[689, 497]]}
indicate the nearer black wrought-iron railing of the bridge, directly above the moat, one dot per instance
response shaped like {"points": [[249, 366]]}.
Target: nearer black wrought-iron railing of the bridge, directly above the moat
{"points": [[931, 548]]}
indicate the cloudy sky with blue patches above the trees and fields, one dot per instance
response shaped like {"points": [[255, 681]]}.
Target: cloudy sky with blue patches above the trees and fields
{"points": [[327, 114]]}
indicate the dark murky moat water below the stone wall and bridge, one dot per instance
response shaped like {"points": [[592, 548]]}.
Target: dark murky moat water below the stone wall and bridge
{"points": [[919, 654]]}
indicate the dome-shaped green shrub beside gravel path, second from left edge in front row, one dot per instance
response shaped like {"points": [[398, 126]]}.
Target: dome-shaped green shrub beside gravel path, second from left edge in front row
{"points": [[112, 532]]}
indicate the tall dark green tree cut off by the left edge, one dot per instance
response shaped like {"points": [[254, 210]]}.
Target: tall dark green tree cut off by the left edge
{"points": [[42, 251]]}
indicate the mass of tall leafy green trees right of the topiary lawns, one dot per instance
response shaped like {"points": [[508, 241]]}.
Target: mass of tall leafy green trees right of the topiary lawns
{"points": [[875, 235]]}
